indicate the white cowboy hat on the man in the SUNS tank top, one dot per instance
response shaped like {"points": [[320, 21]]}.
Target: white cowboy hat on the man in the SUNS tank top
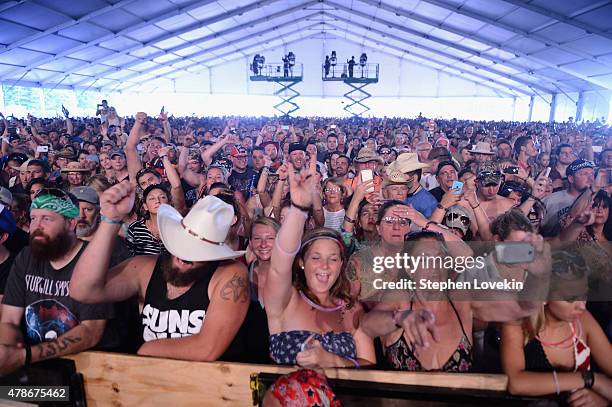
{"points": [[199, 236]]}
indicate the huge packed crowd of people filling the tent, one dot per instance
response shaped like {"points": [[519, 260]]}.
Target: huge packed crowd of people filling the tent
{"points": [[255, 240]]}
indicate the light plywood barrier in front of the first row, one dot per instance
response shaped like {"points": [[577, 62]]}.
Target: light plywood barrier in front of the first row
{"points": [[127, 380]]}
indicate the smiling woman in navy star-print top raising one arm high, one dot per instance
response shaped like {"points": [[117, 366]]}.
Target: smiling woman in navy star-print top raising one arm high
{"points": [[312, 320]]}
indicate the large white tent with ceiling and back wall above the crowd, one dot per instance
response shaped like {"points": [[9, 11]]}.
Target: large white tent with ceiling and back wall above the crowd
{"points": [[510, 59]]}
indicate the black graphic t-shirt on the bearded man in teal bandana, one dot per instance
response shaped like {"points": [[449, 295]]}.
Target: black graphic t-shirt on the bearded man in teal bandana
{"points": [[44, 293]]}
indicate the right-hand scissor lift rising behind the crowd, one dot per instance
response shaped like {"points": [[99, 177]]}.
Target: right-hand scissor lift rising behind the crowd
{"points": [[362, 76]]}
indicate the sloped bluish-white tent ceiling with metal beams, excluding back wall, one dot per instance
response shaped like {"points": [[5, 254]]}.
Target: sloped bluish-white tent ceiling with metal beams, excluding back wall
{"points": [[517, 47]]}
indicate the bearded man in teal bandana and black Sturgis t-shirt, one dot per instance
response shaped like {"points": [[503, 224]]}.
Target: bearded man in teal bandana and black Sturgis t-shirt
{"points": [[38, 289]]}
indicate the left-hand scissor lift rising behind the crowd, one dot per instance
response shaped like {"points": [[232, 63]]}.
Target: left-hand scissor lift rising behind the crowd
{"points": [[286, 79]]}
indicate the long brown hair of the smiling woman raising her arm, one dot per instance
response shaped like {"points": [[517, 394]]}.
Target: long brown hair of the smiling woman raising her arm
{"points": [[341, 288]]}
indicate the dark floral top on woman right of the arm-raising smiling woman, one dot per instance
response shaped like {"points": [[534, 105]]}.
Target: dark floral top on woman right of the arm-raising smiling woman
{"points": [[400, 355]]}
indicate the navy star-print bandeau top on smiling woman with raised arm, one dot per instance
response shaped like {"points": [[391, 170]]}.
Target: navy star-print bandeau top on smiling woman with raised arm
{"points": [[284, 346]]}
